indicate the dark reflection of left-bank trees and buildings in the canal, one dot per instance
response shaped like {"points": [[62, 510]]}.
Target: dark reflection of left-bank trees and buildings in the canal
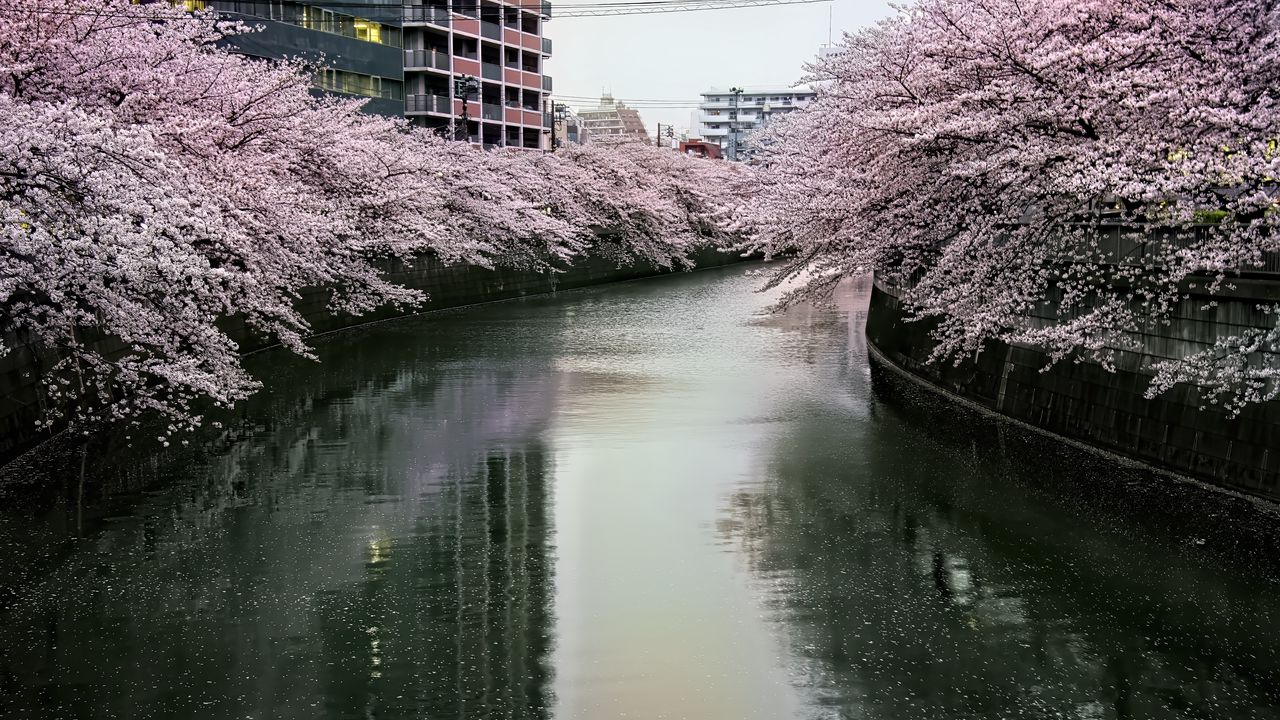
{"points": [[374, 543]]}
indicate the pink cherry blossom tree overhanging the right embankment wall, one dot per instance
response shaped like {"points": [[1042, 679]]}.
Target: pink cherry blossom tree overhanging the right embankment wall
{"points": [[1050, 172]]}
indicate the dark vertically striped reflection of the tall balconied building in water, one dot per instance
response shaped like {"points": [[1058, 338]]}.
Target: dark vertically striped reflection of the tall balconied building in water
{"points": [[455, 619]]}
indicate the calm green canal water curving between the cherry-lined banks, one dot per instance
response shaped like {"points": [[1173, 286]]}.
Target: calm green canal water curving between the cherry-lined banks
{"points": [[646, 502]]}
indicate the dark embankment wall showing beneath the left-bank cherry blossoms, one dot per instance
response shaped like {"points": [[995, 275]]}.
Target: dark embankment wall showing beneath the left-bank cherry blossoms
{"points": [[450, 286]]}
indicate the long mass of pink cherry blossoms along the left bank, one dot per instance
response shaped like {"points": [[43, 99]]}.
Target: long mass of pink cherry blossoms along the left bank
{"points": [[154, 185]]}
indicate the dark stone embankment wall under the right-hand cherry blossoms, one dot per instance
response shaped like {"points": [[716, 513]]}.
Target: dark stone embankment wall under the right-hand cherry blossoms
{"points": [[1086, 403]]}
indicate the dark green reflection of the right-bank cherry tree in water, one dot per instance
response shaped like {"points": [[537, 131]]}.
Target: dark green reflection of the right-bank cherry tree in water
{"points": [[947, 578]]}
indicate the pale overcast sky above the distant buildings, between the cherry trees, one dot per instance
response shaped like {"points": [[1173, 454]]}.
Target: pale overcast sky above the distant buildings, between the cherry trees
{"points": [[674, 57]]}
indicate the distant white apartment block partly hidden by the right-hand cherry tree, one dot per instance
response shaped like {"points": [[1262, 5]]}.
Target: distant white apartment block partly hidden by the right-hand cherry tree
{"points": [[726, 116]]}
